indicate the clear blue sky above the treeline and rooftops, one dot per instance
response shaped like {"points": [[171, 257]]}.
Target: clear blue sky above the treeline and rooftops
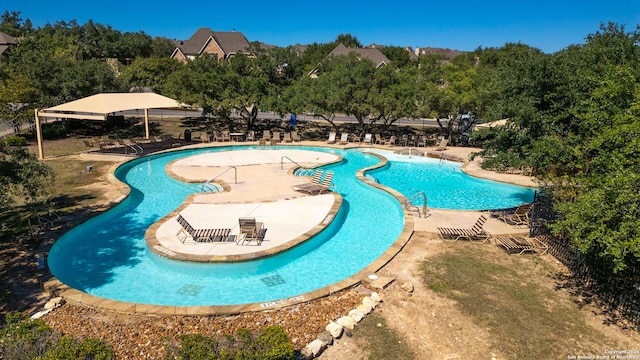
{"points": [[461, 25]]}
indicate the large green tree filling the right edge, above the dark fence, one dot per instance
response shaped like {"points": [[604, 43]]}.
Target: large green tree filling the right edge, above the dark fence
{"points": [[576, 119]]}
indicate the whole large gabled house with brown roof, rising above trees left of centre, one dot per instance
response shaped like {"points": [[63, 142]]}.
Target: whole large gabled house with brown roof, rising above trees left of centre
{"points": [[222, 45]]}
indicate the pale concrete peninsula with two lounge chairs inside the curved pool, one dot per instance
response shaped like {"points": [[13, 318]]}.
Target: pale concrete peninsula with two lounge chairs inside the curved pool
{"points": [[258, 184]]}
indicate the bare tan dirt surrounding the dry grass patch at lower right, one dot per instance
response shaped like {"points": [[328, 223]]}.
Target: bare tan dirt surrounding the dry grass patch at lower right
{"points": [[435, 327]]}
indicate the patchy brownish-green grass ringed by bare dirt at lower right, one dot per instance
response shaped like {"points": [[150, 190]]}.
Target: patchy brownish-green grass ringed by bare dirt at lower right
{"points": [[517, 300]]}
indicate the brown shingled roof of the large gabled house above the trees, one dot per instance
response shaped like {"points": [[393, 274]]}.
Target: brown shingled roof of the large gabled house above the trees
{"points": [[230, 42]]}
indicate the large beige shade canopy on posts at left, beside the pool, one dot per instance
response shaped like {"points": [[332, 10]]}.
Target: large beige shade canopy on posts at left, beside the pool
{"points": [[99, 106]]}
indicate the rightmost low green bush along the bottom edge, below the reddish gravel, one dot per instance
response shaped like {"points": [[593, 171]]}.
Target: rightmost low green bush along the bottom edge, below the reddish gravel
{"points": [[271, 343]]}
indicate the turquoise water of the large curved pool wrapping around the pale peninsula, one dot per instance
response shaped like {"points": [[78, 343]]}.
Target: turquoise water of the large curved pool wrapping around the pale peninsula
{"points": [[108, 257]]}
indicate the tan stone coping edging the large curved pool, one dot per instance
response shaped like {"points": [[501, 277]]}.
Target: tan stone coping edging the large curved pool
{"points": [[56, 288]]}
